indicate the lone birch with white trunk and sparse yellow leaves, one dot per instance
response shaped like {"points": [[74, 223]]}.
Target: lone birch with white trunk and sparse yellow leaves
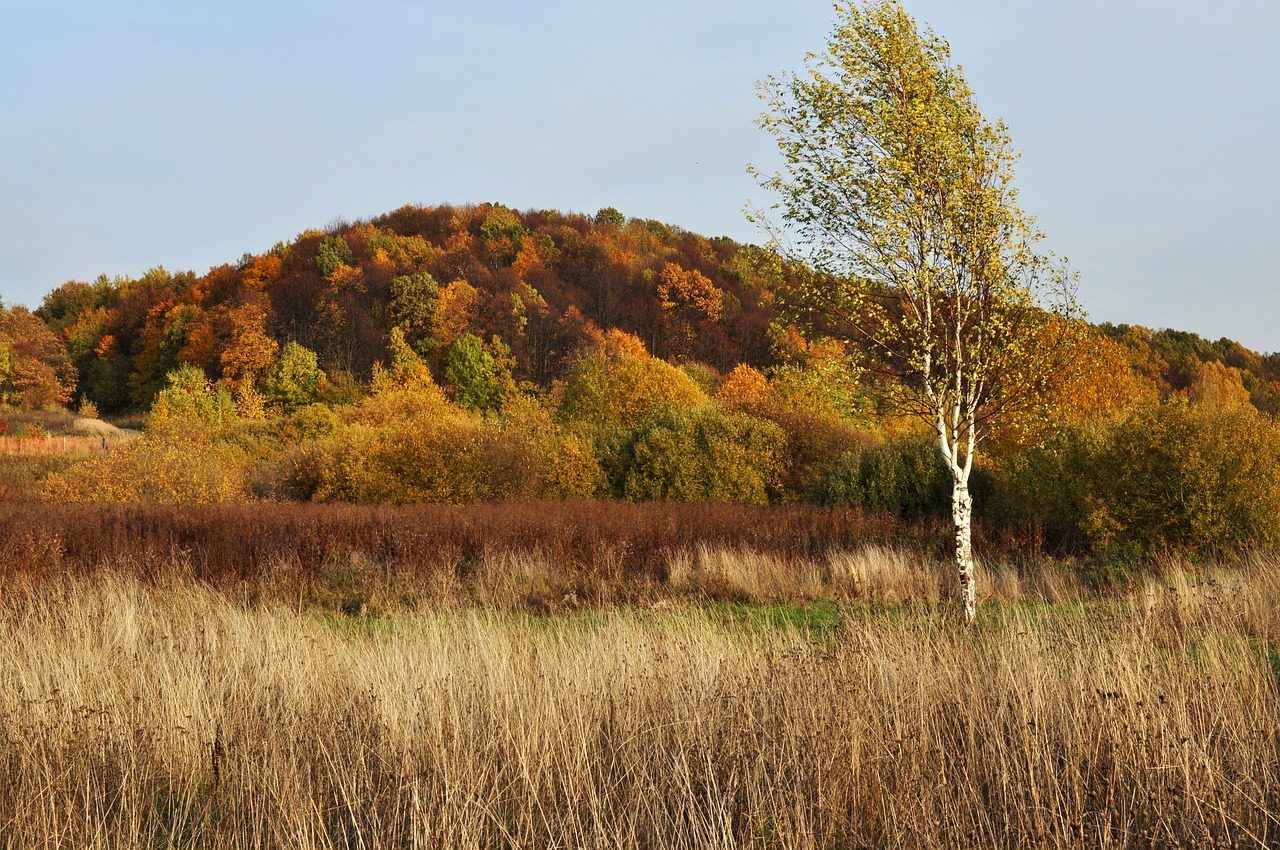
{"points": [[899, 195]]}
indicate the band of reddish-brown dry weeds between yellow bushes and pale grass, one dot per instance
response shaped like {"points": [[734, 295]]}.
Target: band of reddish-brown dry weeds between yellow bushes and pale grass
{"points": [[597, 552]]}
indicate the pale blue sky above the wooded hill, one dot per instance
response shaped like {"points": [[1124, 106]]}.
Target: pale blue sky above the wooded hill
{"points": [[139, 134]]}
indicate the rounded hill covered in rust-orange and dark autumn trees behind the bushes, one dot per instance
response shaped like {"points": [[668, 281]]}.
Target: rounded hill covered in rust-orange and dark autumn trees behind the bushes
{"points": [[525, 291]]}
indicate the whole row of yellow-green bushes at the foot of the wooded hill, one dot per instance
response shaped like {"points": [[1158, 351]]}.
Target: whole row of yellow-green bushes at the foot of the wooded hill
{"points": [[1194, 474]]}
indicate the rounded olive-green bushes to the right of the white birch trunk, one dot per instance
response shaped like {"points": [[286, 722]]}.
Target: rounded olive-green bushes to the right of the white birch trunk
{"points": [[1186, 477]]}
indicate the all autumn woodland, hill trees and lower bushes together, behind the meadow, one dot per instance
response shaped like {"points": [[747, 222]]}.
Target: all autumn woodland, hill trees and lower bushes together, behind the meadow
{"points": [[458, 355]]}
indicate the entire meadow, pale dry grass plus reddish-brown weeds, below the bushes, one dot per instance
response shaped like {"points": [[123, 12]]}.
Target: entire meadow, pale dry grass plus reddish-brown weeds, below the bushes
{"points": [[783, 692]]}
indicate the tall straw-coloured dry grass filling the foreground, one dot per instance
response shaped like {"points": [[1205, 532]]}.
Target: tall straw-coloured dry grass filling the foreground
{"points": [[170, 715]]}
